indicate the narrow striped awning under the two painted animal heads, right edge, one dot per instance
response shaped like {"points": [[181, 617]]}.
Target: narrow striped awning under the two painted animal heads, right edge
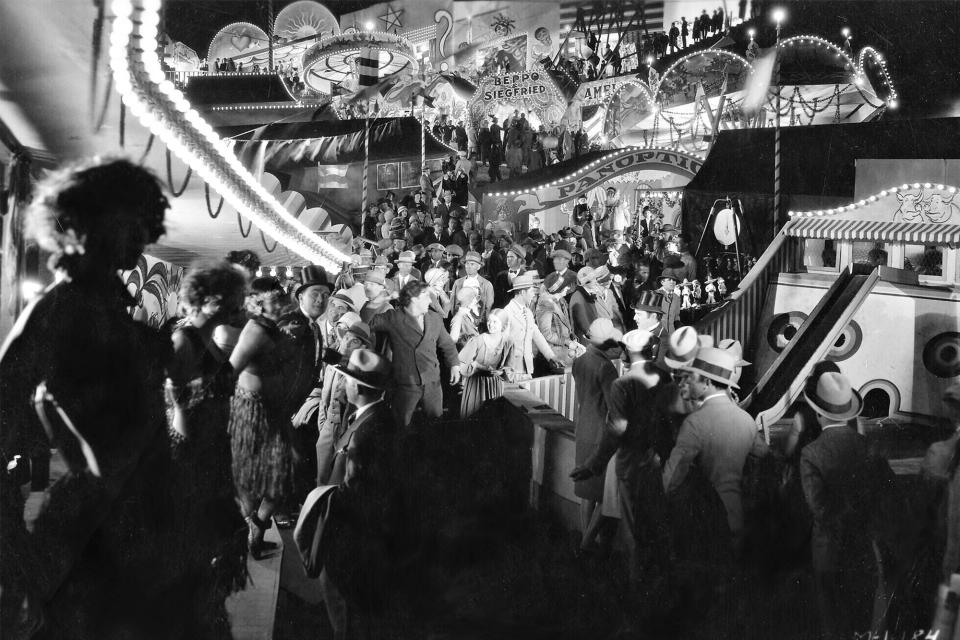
{"points": [[888, 231]]}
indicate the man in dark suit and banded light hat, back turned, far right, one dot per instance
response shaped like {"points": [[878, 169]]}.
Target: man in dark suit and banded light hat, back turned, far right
{"points": [[838, 485]]}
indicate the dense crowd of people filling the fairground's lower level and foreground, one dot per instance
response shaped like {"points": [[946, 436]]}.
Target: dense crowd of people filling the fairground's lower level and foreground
{"points": [[183, 444]]}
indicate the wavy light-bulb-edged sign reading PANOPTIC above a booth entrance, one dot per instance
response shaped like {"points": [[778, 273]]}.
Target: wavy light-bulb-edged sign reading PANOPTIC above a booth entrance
{"points": [[564, 190]]}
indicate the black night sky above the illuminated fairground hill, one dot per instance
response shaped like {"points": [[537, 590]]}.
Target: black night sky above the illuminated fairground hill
{"points": [[919, 38]]}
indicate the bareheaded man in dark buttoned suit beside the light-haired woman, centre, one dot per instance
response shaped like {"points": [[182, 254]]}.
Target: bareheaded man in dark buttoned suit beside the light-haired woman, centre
{"points": [[416, 335]]}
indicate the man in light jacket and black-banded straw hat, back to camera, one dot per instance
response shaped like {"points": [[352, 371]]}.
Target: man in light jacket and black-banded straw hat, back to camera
{"points": [[720, 433]]}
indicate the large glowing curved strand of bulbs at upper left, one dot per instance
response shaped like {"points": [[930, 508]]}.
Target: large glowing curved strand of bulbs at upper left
{"points": [[165, 111]]}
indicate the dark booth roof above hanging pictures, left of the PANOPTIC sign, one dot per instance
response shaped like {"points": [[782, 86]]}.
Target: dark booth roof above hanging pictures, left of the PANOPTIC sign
{"points": [[341, 141]]}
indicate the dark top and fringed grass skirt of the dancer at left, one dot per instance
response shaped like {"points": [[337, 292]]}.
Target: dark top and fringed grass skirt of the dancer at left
{"points": [[259, 426]]}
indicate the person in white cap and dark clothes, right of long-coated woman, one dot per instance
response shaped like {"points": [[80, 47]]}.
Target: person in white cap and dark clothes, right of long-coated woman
{"points": [[639, 429]]}
